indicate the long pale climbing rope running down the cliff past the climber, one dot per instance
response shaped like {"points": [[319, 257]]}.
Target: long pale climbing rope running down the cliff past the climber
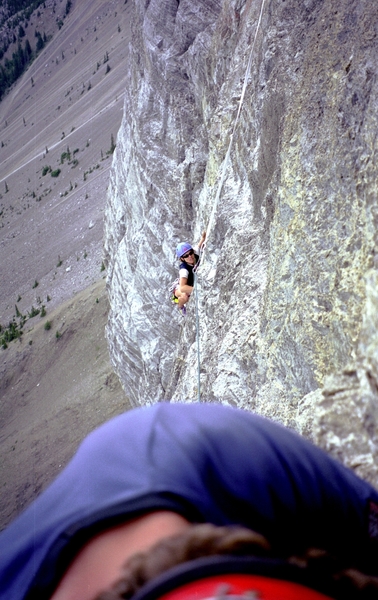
{"points": [[217, 196]]}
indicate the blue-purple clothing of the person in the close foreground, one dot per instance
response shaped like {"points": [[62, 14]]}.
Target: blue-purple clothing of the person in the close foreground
{"points": [[206, 461]]}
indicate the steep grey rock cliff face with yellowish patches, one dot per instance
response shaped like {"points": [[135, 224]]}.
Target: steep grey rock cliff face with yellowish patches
{"points": [[288, 300]]}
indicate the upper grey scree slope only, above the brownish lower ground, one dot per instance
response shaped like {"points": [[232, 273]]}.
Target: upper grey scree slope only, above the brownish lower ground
{"points": [[65, 104]]}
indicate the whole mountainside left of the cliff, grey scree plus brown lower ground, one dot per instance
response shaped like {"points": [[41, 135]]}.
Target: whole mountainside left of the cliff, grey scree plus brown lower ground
{"points": [[54, 390]]}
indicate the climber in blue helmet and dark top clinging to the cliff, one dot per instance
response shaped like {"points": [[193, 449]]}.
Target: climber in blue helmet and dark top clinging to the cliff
{"points": [[189, 258]]}
